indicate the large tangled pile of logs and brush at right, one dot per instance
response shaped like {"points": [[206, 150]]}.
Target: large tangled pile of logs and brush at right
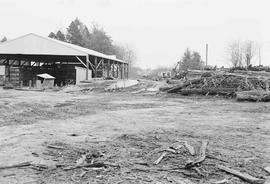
{"points": [[221, 84]]}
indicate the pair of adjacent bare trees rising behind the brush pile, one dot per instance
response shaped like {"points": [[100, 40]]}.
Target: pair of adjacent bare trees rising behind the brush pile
{"points": [[241, 53]]}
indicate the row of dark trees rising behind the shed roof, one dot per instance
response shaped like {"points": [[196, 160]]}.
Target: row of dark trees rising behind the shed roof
{"points": [[95, 38]]}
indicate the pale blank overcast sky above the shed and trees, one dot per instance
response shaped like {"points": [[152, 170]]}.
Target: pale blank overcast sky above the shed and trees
{"points": [[158, 30]]}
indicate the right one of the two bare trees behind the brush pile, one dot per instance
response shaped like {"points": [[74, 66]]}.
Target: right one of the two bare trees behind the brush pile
{"points": [[249, 50]]}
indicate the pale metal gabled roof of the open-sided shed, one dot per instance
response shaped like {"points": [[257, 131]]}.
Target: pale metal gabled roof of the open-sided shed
{"points": [[33, 44]]}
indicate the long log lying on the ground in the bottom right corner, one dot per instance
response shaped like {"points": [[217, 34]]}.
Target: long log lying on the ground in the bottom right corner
{"points": [[246, 177]]}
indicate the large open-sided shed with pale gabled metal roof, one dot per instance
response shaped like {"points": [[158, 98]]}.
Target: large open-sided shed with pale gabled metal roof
{"points": [[29, 55]]}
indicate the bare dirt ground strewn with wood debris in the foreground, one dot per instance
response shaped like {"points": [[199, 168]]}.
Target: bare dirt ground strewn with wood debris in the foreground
{"points": [[129, 132]]}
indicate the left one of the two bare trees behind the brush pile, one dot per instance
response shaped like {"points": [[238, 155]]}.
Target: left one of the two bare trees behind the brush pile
{"points": [[235, 53]]}
